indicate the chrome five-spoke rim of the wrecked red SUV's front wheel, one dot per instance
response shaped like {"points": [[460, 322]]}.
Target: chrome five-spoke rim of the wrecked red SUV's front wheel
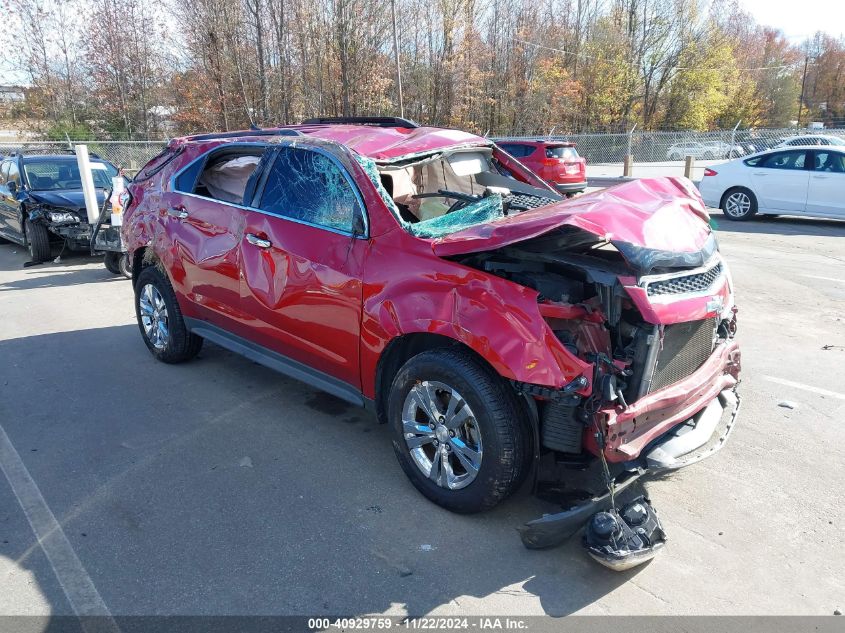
{"points": [[442, 434]]}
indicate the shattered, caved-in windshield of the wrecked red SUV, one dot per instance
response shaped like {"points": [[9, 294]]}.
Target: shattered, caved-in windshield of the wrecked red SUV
{"points": [[443, 193]]}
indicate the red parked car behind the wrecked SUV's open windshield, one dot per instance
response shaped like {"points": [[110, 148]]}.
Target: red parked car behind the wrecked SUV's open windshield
{"points": [[555, 162]]}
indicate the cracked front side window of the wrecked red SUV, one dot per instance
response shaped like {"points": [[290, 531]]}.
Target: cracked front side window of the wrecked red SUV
{"points": [[310, 187]]}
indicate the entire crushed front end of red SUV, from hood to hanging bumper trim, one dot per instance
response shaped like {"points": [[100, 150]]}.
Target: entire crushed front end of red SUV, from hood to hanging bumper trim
{"points": [[630, 281]]}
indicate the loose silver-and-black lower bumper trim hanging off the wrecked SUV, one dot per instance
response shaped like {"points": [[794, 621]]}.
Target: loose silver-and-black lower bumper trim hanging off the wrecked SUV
{"points": [[699, 437]]}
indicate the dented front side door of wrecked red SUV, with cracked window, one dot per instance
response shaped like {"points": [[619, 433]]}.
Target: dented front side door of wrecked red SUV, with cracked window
{"points": [[302, 262]]}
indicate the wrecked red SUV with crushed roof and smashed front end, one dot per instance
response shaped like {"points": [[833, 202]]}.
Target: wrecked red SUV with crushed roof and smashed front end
{"points": [[426, 274]]}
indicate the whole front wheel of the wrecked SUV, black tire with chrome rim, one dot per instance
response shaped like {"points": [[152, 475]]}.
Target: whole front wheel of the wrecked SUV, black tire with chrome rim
{"points": [[458, 430]]}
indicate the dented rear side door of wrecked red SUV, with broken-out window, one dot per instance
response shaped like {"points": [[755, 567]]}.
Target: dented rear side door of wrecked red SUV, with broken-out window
{"points": [[205, 218]]}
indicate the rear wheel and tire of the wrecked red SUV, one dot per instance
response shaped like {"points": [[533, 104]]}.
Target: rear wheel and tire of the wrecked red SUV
{"points": [[160, 319]]}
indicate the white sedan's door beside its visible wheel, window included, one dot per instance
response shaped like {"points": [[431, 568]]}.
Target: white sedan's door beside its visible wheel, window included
{"points": [[780, 181]]}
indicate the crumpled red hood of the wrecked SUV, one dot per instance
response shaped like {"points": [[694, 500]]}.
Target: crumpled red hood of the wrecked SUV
{"points": [[651, 221]]}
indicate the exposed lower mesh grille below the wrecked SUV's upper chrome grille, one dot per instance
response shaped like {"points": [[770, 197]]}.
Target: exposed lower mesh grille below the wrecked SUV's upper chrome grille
{"points": [[685, 348]]}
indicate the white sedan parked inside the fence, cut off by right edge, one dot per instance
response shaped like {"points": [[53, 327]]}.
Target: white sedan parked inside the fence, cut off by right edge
{"points": [[807, 181]]}
